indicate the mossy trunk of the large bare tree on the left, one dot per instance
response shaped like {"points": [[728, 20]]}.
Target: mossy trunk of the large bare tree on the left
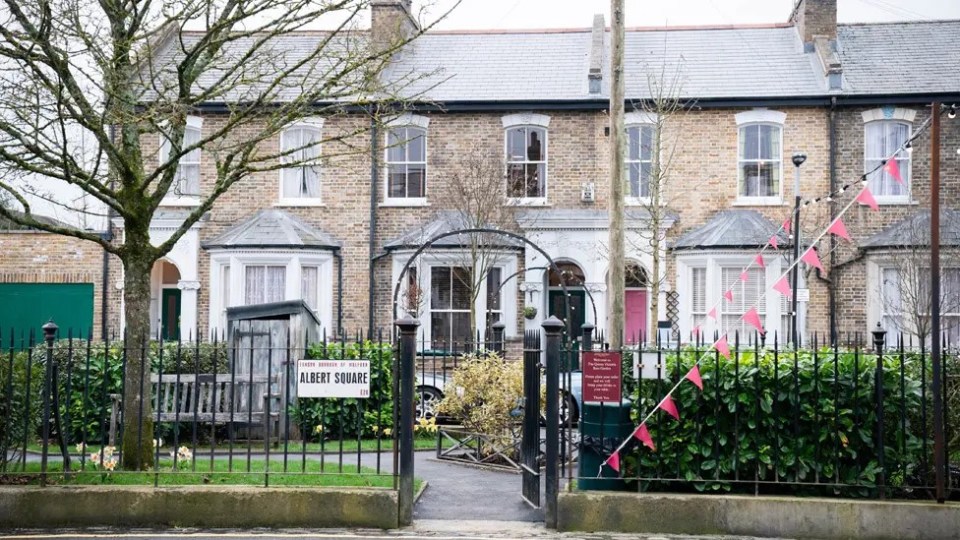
{"points": [[137, 440]]}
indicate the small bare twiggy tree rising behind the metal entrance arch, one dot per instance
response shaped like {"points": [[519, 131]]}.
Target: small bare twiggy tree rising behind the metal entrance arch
{"points": [[473, 196]]}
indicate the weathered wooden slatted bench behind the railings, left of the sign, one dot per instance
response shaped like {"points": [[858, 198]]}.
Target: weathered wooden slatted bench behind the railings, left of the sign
{"points": [[208, 398]]}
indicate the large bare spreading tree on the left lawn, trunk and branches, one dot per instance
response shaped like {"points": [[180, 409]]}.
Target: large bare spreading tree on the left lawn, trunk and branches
{"points": [[126, 74]]}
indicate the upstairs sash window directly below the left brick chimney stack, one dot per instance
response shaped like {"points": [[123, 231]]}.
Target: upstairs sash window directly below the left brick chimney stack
{"points": [[407, 163]]}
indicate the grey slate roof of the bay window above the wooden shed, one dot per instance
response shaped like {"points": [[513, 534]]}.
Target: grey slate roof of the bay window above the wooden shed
{"points": [[273, 228]]}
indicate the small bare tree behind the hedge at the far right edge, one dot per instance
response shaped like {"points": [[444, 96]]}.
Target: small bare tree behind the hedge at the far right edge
{"points": [[905, 275]]}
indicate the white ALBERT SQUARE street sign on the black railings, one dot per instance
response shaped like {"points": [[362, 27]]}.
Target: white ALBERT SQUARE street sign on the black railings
{"points": [[333, 378]]}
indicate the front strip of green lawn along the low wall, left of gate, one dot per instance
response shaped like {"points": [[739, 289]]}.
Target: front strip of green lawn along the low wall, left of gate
{"points": [[219, 474]]}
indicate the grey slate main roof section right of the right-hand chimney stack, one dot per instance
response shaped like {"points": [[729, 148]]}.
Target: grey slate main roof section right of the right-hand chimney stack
{"points": [[900, 58]]}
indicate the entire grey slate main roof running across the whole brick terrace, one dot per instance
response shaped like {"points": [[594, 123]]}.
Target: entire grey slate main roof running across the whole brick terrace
{"points": [[747, 62]]}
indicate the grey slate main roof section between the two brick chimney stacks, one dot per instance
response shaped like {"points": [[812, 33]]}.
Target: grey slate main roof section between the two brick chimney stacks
{"points": [[715, 62]]}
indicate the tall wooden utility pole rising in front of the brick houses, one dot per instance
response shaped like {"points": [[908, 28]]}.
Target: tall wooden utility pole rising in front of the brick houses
{"points": [[617, 134]]}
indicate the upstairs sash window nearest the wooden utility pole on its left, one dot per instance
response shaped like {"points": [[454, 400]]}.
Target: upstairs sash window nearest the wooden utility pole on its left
{"points": [[527, 162]]}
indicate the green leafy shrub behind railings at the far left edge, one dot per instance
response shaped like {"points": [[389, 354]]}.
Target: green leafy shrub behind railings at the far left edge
{"points": [[21, 386]]}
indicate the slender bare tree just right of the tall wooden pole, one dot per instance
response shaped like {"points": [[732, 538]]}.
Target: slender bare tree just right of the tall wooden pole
{"points": [[652, 170]]}
